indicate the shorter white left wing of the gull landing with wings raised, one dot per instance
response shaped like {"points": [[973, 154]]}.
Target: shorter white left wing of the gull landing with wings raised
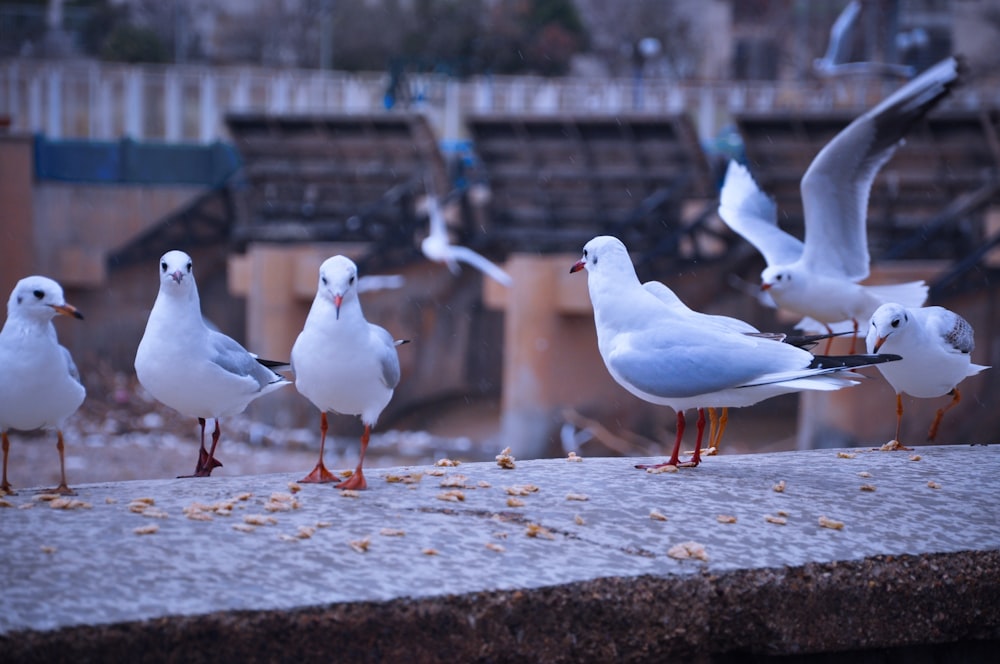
{"points": [[753, 215]]}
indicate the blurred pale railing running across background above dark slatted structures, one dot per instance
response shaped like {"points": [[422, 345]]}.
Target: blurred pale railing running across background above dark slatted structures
{"points": [[180, 103]]}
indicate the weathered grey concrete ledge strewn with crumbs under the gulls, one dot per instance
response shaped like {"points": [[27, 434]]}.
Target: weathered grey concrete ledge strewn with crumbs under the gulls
{"points": [[916, 562]]}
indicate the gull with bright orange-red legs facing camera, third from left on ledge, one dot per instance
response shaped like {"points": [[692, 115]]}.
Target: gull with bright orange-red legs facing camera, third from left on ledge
{"points": [[343, 363]]}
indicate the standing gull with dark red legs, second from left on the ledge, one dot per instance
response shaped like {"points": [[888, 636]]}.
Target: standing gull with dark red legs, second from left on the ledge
{"points": [[194, 369]]}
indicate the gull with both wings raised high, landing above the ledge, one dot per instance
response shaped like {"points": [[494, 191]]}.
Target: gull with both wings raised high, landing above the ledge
{"points": [[819, 278]]}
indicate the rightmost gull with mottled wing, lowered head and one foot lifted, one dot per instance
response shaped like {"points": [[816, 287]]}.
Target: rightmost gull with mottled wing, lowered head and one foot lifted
{"points": [[936, 345]]}
